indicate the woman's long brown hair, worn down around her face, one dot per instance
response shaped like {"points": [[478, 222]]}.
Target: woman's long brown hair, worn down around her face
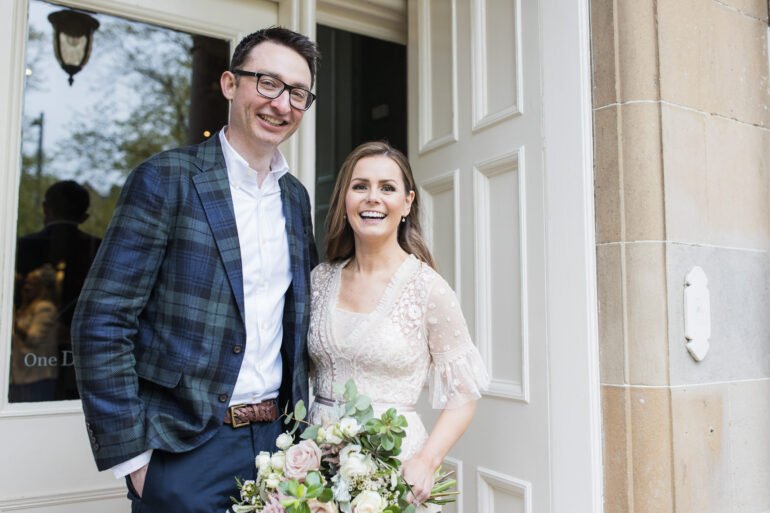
{"points": [[340, 243]]}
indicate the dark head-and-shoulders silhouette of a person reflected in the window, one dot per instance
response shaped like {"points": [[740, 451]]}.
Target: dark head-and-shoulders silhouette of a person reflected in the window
{"points": [[51, 266]]}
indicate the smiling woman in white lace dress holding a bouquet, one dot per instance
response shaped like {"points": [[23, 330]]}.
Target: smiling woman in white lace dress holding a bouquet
{"points": [[383, 316]]}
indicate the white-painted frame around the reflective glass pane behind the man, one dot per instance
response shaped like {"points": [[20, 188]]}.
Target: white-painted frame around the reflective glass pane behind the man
{"points": [[46, 458]]}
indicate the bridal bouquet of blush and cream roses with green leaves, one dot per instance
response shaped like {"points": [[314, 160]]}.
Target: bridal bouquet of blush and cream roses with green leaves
{"points": [[350, 466]]}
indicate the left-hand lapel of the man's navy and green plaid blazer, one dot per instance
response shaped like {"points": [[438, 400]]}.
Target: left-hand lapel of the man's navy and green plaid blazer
{"points": [[213, 188]]}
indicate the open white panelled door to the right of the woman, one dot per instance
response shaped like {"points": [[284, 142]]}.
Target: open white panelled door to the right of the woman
{"points": [[477, 146]]}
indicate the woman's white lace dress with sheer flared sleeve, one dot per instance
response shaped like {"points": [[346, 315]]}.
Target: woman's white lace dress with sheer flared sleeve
{"points": [[416, 333]]}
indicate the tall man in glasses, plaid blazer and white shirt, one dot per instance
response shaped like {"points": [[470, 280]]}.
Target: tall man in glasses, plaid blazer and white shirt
{"points": [[189, 335]]}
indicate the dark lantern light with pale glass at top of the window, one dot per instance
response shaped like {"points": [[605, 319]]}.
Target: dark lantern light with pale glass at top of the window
{"points": [[73, 35]]}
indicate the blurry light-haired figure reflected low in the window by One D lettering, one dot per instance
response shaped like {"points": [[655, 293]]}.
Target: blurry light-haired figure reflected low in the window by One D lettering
{"points": [[35, 349]]}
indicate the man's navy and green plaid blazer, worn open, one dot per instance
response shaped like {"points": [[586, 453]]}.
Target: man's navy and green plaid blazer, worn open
{"points": [[162, 308]]}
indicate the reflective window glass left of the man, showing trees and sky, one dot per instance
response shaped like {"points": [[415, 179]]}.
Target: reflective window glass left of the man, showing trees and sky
{"points": [[144, 89]]}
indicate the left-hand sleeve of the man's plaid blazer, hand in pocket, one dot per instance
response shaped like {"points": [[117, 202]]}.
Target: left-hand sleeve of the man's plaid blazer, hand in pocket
{"points": [[105, 322]]}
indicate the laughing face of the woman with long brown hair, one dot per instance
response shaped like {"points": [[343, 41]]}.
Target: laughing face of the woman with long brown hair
{"points": [[376, 199]]}
